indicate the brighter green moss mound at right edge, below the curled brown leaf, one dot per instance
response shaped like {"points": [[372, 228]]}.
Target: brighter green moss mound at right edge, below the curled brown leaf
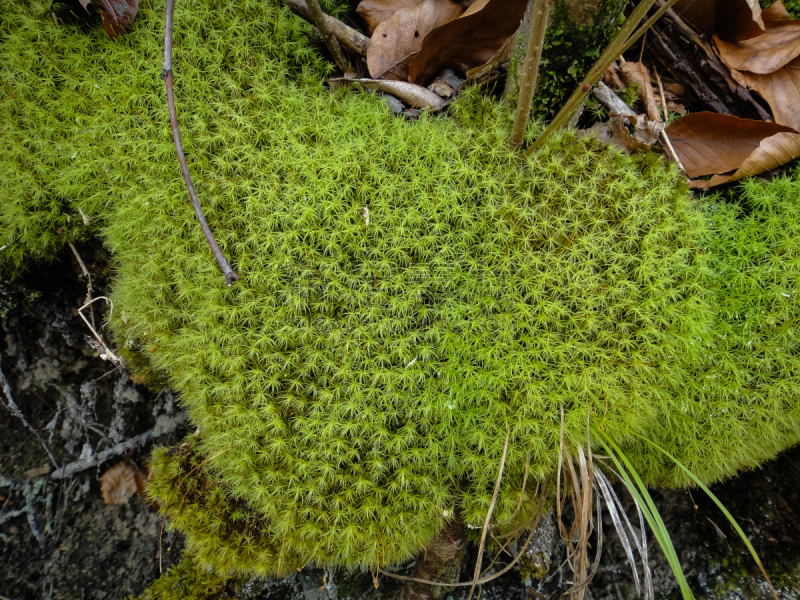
{"points": [[740, 404]]}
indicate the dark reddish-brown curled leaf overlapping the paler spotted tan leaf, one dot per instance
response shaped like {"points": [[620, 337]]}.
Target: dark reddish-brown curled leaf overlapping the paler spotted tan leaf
{"points": [[469, 41]]}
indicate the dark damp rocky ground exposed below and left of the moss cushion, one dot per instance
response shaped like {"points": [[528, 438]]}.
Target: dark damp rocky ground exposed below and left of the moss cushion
{"points": [[59, 540]]}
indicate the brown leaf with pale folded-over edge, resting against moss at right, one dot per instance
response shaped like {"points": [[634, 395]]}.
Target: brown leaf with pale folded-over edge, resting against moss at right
{"points": [[730, 148]]}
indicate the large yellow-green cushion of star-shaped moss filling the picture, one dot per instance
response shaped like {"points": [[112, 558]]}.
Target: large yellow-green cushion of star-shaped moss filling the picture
{"points": [[355, 387]]}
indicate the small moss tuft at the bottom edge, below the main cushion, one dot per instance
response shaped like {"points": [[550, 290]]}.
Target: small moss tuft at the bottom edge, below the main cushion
{"points": [[186, 581]]}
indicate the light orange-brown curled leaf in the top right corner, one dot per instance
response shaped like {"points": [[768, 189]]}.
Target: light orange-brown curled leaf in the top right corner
{"points": [[769, 64]]}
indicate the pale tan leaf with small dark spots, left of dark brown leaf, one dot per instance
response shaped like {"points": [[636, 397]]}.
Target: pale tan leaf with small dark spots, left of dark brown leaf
{"points": [[401, 36]]}
